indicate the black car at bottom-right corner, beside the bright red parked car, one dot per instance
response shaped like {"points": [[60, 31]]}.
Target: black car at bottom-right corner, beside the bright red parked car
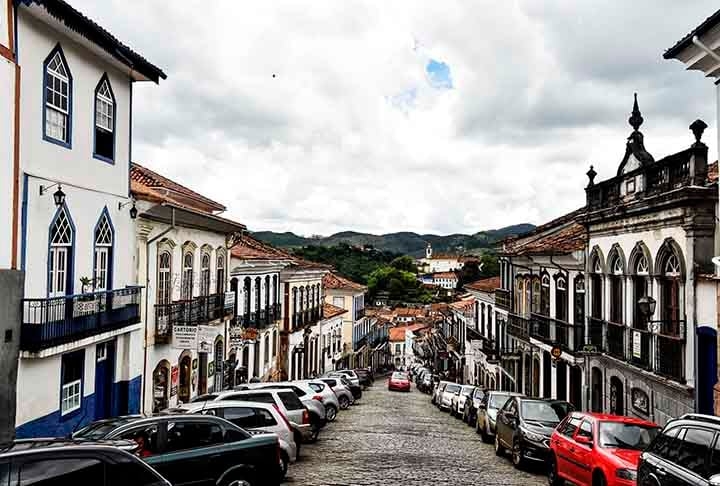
{"points": [[686, 452]]}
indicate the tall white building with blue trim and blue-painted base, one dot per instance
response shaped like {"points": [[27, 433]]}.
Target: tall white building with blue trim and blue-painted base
{"points": [[82, 327]]}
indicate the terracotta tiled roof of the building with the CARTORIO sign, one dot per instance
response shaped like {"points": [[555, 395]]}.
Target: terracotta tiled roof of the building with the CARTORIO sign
{"points": [[149, 185]]}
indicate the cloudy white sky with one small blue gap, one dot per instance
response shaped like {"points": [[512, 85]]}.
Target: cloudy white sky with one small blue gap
{"points": [[322, 116]]}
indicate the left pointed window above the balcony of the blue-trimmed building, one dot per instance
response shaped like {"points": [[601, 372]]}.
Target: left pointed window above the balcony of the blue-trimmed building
{"points": [[60, 256]]}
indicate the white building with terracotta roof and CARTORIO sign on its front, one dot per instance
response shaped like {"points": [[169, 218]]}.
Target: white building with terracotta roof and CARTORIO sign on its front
{"points": [[182, 259]]}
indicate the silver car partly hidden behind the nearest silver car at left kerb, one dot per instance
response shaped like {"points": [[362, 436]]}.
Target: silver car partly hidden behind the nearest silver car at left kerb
{"points": [[285, 399]]}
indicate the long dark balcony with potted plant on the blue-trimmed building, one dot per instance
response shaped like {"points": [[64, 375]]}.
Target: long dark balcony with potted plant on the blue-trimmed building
{"points": [[61, 320]]}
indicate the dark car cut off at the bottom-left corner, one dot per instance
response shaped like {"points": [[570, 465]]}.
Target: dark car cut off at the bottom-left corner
{"points": [[76, 461]]}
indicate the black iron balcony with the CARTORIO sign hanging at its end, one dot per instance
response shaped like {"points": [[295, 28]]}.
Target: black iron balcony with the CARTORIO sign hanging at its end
{"points": [[197, 311]]}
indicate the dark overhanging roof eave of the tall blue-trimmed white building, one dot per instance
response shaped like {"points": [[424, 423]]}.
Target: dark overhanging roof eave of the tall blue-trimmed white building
{"points": [[87, 28]]}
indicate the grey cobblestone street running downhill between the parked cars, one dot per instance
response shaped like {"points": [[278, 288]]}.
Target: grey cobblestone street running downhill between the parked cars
{"points": [[394, 438]]}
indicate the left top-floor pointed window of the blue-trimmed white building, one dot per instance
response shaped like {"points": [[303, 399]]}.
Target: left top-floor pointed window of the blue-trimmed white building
{"points": [[57, 98]]}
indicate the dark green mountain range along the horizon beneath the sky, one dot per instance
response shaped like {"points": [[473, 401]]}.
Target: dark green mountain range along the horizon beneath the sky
{"points": [[406, 243]]}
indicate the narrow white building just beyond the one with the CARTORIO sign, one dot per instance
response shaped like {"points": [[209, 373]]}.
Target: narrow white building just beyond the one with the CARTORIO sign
{"points": [[255, 279]]}
